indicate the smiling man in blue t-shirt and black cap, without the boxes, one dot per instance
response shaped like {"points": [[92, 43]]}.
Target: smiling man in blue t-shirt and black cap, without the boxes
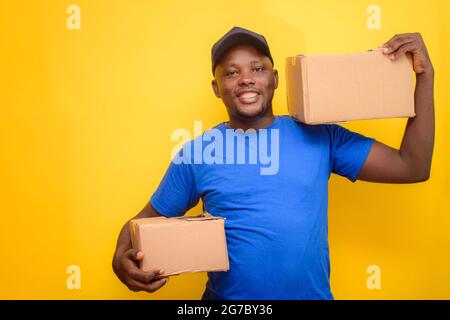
{"points": [[276, 225]]}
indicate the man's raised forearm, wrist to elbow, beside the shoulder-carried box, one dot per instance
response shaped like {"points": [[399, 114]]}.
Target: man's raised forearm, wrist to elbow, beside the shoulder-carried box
{"points": [[418, 140]]}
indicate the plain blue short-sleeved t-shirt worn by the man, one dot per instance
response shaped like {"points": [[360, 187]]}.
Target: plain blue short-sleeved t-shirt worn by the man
{"points": [[276, 220]]}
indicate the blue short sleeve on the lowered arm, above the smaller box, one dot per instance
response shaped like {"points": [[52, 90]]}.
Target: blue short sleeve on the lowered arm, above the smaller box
{"points": [[177, 192]]}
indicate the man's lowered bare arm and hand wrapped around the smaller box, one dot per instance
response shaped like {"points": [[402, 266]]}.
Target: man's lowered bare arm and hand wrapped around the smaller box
{"points": [[126, 259]]}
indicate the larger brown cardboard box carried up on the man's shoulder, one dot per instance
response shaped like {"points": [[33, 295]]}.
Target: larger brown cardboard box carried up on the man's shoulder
{"points": [[341, 87]]}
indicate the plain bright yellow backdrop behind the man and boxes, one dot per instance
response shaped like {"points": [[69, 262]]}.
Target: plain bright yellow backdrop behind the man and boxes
{"points": [[85, 123]]}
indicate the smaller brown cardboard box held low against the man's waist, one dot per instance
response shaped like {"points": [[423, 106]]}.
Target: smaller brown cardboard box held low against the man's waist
{"points": [[181, 244]]}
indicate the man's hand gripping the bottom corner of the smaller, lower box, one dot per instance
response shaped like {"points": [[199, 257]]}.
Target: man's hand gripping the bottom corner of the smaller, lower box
{"points": [[125, 266]]}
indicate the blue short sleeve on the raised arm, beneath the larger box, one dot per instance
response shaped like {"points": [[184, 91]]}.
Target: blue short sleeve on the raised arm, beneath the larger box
{"points": [[349, 151]]}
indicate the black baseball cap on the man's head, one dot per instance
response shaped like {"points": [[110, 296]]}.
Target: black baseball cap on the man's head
{"points": [[235, 36]]}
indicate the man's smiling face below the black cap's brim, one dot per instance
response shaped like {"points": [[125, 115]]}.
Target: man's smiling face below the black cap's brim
{"points": [[245, 80]]}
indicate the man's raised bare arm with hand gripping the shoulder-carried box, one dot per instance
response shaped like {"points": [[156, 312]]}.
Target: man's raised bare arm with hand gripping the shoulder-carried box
{"points": [[412, 162]]}
